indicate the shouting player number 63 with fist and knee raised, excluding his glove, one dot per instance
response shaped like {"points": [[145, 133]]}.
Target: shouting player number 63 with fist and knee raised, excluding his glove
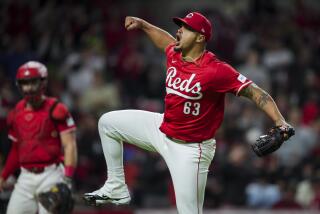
{"points": [[196, 85]]}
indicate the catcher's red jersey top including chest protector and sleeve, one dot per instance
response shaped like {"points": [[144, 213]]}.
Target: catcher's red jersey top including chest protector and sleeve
{"points": [[36, 134]]}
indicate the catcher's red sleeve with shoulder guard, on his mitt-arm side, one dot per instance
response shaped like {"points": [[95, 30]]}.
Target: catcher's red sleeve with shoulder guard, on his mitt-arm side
{"points": [[63, 119]]}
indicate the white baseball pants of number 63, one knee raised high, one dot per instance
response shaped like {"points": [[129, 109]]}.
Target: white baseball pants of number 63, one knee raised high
{"points": [[188, 163]]}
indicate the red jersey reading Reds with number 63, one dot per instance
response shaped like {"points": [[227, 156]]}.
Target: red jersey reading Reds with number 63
{"points": [[195, 94]]}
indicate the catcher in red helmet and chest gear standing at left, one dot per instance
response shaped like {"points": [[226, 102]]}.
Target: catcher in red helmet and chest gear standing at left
{"points": [[42, 132]]}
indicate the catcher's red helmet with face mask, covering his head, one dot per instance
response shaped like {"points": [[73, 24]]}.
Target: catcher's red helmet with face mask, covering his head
{"points": [[31, 80]]}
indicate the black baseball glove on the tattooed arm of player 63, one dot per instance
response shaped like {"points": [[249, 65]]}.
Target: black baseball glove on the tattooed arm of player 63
{"points": [[272, 141]]}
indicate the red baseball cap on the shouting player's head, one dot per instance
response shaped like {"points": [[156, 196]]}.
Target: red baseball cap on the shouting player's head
{"points": [[197, 22]]}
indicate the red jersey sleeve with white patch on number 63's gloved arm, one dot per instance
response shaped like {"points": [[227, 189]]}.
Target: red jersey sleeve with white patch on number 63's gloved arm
{"points": [[228, 80]]}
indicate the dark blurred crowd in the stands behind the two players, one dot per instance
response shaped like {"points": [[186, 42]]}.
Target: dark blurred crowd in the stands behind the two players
{"points": [[95, 66]]}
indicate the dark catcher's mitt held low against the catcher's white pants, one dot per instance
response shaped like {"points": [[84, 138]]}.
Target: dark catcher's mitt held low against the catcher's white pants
{"points": [[58, 200]]}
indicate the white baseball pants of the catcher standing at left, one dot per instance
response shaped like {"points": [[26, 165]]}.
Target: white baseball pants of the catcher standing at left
{"points": [[24, 196]]}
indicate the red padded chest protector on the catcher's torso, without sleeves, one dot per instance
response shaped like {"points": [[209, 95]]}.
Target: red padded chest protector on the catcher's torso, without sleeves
{"points": [[36, 132]]}
